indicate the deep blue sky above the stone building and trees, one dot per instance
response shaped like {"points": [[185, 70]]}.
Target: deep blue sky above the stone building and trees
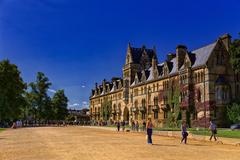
{"points": [[77, 43]]}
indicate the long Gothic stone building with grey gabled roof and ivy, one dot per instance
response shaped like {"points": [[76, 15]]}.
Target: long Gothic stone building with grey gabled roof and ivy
{"points": [[197, 84]]}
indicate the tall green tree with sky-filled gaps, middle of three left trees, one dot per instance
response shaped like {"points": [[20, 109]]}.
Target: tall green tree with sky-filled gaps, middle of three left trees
{"points": [[39, 100]]}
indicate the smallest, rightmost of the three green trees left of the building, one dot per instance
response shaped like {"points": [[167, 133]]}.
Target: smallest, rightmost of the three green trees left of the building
{"points": [[59, 103]]}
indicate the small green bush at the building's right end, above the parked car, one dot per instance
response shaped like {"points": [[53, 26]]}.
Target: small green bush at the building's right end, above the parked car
{"points": [[233, 112]]}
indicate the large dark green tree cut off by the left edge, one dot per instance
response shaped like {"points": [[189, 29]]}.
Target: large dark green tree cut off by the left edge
{"points": [[12, 89]]}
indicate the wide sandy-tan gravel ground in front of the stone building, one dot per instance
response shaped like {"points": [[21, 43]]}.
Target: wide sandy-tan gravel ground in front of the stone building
{"points": [[81, 143]]}
